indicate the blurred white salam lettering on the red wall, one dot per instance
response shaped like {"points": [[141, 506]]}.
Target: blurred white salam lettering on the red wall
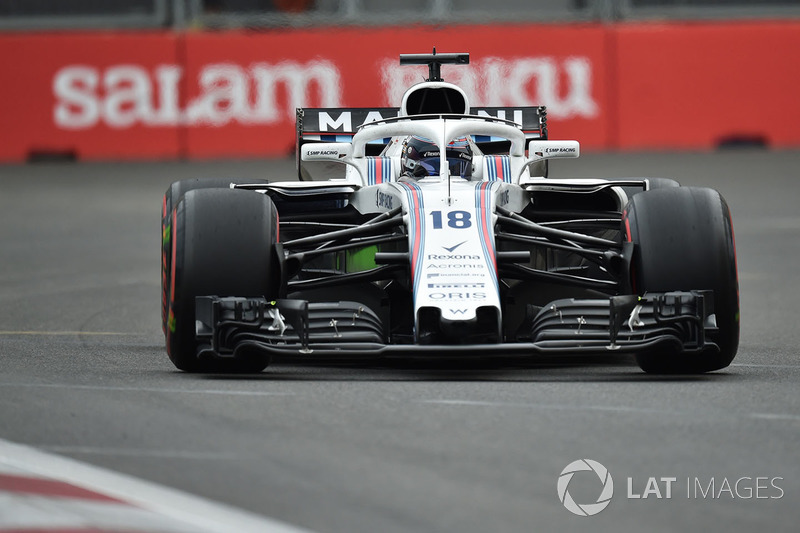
{"points": [[123, 96]]}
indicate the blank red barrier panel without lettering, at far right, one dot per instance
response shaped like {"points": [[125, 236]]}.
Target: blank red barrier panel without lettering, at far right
{"points": [[696, 85]]}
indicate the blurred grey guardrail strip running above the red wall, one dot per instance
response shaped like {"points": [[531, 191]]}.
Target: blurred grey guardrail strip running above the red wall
{"points": [[178, 14]]}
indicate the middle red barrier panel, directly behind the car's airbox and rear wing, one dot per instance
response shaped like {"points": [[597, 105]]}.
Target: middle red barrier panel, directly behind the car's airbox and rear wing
{"points": [[358, 67]]}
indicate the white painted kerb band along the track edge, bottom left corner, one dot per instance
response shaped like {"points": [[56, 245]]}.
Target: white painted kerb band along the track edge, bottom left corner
{"points": [[198, 514]]}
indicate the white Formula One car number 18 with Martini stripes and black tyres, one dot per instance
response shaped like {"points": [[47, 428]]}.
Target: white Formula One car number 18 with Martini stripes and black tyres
{"points": [[442, 236]]}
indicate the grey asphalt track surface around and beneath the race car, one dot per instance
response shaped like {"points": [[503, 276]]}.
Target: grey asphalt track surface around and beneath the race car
{"points": [[401, 447]]}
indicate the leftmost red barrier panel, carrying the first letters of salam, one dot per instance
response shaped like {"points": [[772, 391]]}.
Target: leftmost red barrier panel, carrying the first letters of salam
{"points": [[83, 93]]}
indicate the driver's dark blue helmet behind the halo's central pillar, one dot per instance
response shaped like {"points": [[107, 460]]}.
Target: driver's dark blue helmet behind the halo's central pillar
{"points": [[421, 157]]}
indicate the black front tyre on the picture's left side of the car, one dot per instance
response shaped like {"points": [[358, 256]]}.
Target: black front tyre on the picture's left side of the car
{"points": [[222, 245]]}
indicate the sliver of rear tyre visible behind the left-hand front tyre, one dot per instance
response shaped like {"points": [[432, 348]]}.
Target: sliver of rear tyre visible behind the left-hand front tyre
{"points": [[171, 198]]}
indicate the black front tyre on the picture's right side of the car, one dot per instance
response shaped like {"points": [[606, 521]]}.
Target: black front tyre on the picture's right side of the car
{"points": [[683, 240]]}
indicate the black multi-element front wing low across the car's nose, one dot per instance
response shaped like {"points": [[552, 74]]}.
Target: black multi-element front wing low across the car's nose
{"points": [[673, 323]]}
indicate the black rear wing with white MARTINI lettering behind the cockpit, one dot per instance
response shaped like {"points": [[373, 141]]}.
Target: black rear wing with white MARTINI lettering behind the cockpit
{"points": [[340, 124]]}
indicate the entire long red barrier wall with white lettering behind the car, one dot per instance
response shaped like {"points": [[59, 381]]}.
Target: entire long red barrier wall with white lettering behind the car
{"points": [[154, 95]]}
